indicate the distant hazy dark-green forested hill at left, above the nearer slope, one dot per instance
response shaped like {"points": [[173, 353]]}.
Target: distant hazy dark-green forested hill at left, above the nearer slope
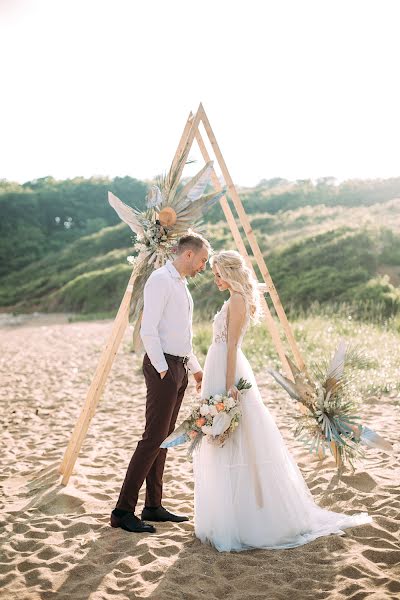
{"points": [[46, 215]]}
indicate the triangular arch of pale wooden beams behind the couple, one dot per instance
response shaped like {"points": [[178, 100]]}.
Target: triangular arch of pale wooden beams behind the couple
{"points": [[190, 133]]}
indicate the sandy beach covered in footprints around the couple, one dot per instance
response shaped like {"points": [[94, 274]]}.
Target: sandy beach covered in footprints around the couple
{"points": [[57, 542]]}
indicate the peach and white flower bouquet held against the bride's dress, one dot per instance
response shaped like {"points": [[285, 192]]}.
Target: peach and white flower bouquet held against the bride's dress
{"points": [[215, 417]]}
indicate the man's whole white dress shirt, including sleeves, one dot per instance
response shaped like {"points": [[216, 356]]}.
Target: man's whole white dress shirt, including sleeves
{"points": [[167, 318]]}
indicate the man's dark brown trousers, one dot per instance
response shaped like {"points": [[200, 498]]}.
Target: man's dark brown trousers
{"points": [[163, 401]]}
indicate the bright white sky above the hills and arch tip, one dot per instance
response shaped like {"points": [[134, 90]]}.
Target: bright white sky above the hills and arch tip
{"points": [[293, 88]]}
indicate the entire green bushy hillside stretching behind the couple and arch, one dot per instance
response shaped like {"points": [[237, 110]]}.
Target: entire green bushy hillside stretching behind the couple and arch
{"points": [[63, 248]]}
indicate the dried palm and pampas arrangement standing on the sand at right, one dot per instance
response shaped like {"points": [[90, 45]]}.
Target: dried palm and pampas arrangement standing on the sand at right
{"points": [[329, 418]]}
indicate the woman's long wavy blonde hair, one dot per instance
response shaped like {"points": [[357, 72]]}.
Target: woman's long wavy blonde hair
{"points": [[240, 278]]}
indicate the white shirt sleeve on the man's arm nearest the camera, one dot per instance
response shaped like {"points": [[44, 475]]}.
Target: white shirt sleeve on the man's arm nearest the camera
{"points": [[156, 292]]}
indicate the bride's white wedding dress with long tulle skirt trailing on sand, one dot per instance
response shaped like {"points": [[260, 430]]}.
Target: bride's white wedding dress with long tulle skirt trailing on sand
{"points": [[250, 493]]}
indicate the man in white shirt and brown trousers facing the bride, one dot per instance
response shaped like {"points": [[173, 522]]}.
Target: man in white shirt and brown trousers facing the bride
{"points": [[166, 332]]}
